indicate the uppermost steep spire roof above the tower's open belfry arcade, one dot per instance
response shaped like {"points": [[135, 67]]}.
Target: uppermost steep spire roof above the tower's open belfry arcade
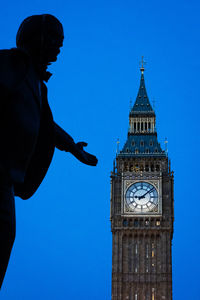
{"points": [[142, 103]]}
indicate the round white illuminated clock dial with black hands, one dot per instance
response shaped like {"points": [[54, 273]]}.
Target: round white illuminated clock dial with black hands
{"points": [[142, 197]]}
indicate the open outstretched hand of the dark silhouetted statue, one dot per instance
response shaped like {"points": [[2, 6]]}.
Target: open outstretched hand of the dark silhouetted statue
{"points": [[82, 155]]}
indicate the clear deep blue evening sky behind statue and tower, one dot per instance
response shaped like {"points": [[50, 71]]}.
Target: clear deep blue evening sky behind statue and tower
{"points": [[63, 243]]}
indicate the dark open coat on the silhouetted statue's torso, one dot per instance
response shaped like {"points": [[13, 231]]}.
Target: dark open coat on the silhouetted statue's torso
{"points": [[26, 123]]}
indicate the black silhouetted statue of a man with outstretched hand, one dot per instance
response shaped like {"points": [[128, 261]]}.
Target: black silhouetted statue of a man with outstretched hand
{"points": [[28, 133]]}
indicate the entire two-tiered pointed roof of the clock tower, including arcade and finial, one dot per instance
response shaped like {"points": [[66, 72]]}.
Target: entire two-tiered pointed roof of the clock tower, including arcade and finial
{"points": [[142, 141]]}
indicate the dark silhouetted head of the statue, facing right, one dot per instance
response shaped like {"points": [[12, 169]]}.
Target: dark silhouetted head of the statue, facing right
{"points": [[41, 36]]}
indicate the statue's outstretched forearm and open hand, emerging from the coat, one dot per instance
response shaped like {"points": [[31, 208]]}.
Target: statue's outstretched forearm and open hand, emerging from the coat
{"points": [[64, 142]]}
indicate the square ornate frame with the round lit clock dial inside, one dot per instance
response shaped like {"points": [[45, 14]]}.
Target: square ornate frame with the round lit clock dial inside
{"points": [[142, 197]]}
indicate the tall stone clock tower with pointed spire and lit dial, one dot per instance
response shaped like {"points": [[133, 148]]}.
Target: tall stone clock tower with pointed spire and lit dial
{"points": [[142, 211]]}
